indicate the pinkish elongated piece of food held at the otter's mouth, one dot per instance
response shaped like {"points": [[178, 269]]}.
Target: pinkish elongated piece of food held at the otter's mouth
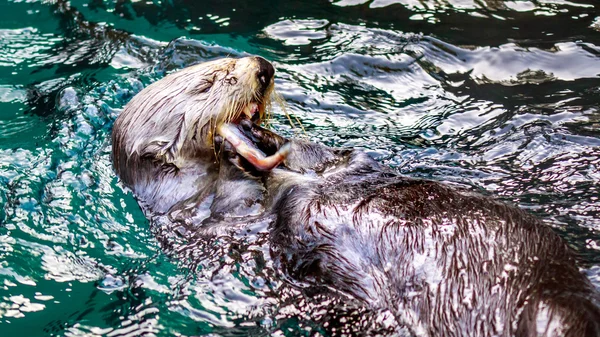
{"points": [[245, 148]]}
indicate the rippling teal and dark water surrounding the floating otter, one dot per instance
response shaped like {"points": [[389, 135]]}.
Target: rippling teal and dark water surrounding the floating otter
{"points": [[499, 95]]}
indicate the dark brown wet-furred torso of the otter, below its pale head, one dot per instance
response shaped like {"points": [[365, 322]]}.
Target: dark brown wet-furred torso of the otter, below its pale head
{"points": [[445, 261]]}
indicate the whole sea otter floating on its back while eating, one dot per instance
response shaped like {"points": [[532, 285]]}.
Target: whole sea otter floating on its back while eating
{"points": [[445, 261]]}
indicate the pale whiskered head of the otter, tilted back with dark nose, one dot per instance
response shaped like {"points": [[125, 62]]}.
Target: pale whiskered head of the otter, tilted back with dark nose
{"points": [[172, 122]]}
